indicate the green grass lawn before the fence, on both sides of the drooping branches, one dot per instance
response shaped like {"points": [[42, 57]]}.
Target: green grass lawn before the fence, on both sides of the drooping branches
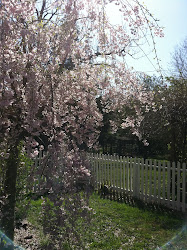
{"points": [[117, 225]]}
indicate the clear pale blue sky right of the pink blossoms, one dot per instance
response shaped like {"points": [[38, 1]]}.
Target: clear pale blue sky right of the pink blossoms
{"points": [[173, 16]]}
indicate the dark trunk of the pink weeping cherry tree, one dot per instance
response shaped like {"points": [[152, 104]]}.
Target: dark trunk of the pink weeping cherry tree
{"points": [[8, 208]]}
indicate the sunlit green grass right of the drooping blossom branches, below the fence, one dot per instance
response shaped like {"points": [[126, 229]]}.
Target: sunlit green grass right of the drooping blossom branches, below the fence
{"points": [[132, 227]]}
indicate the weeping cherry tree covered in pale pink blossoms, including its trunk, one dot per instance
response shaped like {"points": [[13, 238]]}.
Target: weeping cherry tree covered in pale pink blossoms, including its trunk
{"points": [[56, 57]]}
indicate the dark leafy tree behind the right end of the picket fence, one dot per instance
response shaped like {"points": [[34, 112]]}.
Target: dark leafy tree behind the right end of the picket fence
{"points": [[164, 124]]}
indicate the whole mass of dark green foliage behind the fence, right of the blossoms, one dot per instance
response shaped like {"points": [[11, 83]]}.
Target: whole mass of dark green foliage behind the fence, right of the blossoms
{"points": [[164, 125]]}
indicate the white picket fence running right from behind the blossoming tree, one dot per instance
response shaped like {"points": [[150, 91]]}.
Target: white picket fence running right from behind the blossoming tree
{"points": [[151, 181]]}
